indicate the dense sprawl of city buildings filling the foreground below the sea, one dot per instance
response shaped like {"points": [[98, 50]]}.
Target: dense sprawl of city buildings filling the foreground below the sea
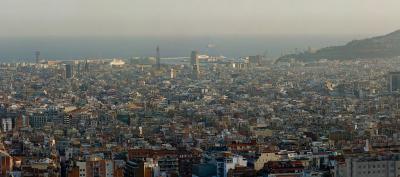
{"points": [[200, 116]]}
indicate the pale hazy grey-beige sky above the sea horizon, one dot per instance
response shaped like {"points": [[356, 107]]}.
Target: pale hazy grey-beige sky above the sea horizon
{"points": [[196, 17]]}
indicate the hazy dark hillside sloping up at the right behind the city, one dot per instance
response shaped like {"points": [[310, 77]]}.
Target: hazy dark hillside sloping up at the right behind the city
{"points": [[386, 46]]}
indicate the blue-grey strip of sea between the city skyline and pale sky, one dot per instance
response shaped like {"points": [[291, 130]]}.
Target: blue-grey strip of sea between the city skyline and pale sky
{"points": [[53, 48]]}
